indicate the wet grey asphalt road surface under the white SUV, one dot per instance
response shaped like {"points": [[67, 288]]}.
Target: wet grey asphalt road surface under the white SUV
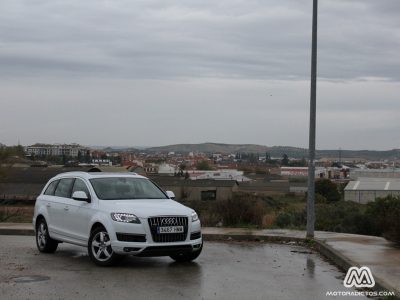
{"points": [[223, 271]]}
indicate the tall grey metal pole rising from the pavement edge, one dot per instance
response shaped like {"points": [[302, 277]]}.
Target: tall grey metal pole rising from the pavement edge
{"points": [[311, 148]]}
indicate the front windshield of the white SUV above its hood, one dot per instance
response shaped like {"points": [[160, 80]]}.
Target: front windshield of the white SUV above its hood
{"points": [[124, 188]]}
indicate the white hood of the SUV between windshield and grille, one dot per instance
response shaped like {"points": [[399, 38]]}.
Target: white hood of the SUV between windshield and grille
{"points": [[146, 208]]}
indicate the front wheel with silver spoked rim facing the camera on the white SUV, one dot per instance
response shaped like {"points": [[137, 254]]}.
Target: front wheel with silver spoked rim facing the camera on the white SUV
{"points": [[99, 248]]}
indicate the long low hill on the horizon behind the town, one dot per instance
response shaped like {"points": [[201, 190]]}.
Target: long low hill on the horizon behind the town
{"points": [[275, 151]]}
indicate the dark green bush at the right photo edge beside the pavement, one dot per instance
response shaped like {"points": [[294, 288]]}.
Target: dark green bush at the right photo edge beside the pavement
{"points": [[385, 213]]}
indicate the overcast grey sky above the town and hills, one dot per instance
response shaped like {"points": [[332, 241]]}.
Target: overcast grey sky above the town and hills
{"points": [[157, 72]]}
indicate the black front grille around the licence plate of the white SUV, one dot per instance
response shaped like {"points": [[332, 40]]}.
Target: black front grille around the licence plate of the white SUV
{"points": [[167, 221]]}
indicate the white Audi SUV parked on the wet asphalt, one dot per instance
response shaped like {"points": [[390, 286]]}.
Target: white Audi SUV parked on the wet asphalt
{"points": [[115, 214]]}
